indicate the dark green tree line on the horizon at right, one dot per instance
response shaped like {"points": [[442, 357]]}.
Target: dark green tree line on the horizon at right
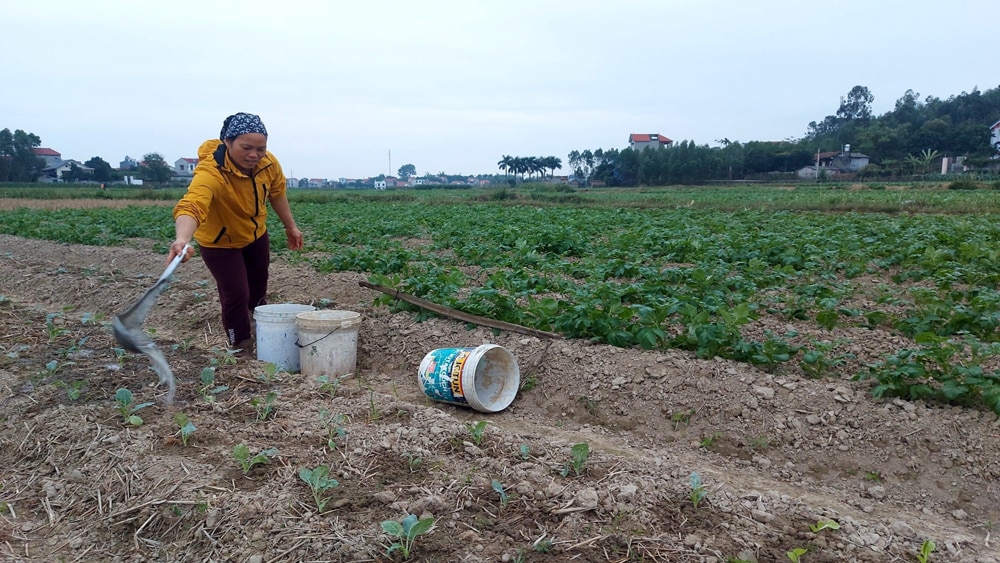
{"points": [[903, 141]]}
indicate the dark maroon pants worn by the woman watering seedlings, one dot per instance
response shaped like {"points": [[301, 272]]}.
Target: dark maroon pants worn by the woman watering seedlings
{"points": [[241, 275]]}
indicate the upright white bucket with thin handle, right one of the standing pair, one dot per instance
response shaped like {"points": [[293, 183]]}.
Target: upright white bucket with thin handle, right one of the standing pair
{"points": [[328, 342]]}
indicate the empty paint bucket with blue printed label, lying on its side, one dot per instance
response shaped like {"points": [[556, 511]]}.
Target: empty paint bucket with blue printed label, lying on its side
{"points": [[485, 377]]}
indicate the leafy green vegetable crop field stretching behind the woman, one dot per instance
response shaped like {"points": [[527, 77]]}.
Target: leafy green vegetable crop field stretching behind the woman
{"points": [[691, 269]]}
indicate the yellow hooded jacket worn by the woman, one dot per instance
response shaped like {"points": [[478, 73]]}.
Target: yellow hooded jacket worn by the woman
{"points": [[230, 207]]}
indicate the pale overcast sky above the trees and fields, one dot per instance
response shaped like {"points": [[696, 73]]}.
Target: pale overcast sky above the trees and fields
{"points": [[453, 85]]}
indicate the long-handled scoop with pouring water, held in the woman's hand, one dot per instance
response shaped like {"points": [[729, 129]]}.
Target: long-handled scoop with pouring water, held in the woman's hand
{"points": [[127, 328]]}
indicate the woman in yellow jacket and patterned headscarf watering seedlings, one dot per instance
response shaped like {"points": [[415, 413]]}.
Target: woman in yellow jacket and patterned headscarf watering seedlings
{"points": [[225, 211]]}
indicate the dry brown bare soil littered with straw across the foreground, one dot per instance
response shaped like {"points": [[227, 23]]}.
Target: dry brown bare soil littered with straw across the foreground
{"points": [[777, 452]]}
